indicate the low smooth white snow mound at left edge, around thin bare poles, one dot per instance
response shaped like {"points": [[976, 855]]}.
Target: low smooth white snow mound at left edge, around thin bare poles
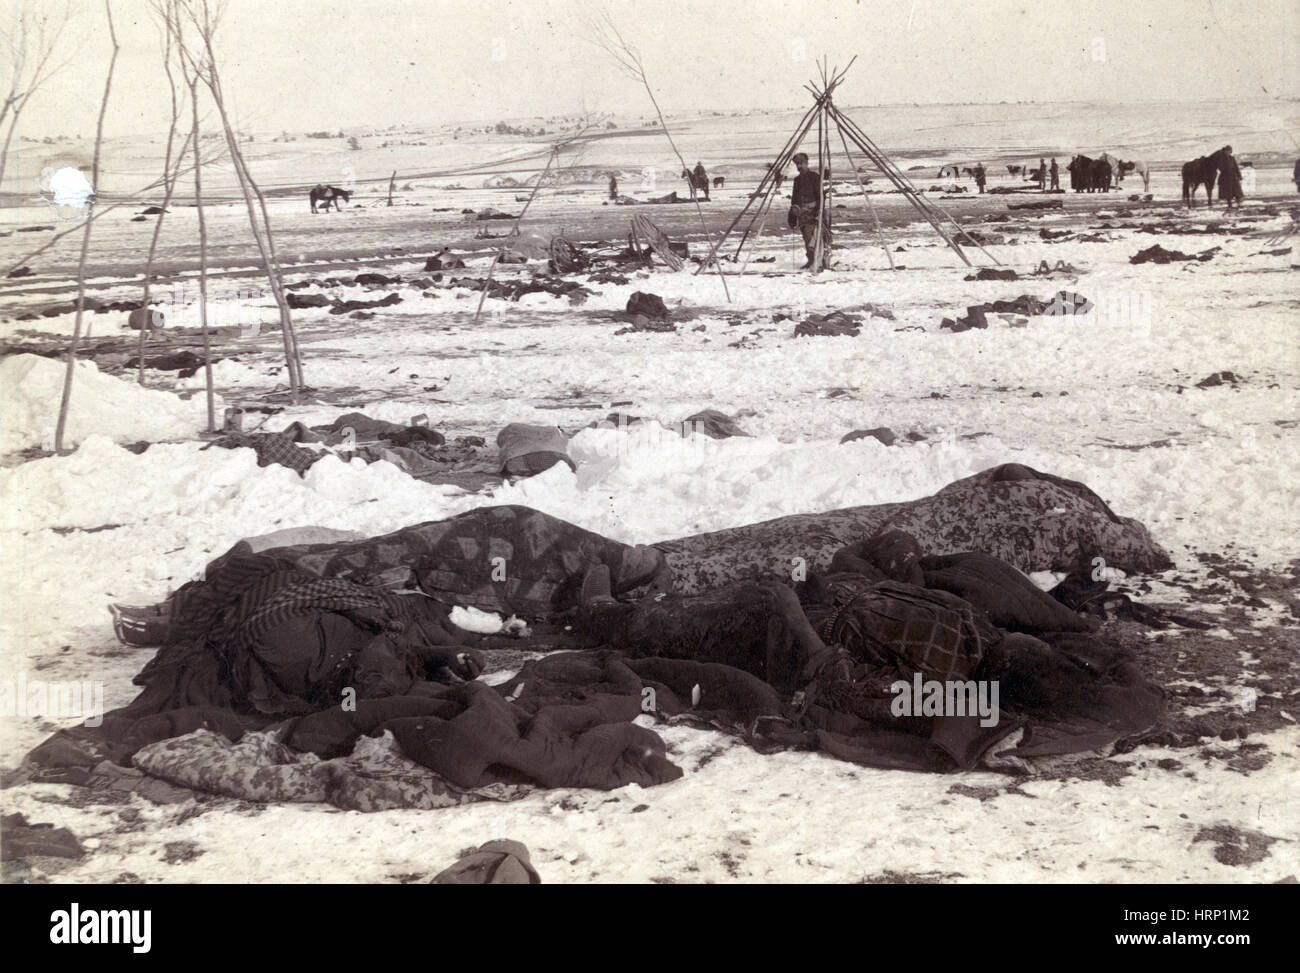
{"points": [[31, 390]]}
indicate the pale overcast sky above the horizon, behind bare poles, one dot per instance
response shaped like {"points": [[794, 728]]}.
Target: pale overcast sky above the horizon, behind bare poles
{"points": [[306, 64]]}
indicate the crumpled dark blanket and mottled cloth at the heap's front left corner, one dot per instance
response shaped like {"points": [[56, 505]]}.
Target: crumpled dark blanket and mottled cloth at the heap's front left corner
{"points": [[571, 730]]}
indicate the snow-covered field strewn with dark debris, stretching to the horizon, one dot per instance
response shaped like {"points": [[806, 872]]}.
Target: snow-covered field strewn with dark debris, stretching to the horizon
{"points": [[1110, 399]]}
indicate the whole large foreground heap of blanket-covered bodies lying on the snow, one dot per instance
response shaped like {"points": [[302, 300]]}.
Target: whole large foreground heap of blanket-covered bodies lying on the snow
{"points": [[330, 672]]}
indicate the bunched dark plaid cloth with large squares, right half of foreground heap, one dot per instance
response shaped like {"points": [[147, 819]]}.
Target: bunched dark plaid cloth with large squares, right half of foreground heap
{"points": [[909, 629]]}
